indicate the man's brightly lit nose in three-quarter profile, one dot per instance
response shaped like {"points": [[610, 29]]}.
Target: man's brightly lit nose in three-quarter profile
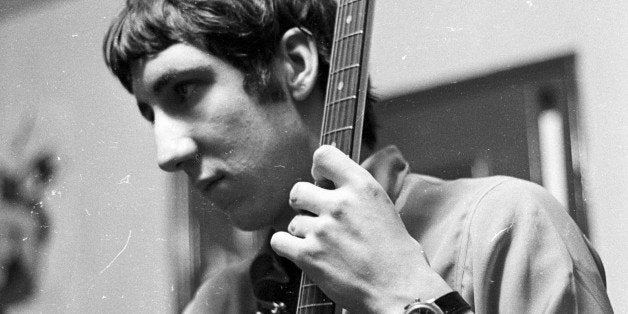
{"points": [[175, 146]]}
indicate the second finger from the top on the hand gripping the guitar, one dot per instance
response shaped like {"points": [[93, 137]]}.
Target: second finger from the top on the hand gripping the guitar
{"points": [[309, 197]]}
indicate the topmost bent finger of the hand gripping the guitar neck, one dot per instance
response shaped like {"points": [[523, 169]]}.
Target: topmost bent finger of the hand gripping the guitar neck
{"points": [[332, 164]]}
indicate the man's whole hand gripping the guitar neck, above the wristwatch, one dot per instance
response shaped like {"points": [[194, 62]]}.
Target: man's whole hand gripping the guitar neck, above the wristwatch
{"points": [[354, 244]]}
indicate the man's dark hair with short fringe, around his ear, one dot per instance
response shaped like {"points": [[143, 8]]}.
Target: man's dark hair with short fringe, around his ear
{"points": [[245, 33]]}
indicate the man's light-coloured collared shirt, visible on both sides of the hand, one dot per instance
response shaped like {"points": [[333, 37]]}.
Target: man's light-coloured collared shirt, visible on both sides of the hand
{"points": [[505, 244]]}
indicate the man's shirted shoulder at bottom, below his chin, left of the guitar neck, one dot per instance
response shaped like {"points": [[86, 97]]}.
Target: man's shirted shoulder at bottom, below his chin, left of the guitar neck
{"points": [[225, 291]]}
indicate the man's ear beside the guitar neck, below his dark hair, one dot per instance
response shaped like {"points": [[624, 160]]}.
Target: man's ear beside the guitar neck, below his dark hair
{"points": [[300, 62]]}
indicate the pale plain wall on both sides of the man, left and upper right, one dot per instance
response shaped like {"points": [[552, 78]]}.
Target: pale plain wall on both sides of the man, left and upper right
{"points": [[50, 59]]}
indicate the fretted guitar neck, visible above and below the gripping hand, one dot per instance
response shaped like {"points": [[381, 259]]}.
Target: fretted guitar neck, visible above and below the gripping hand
{"points": [[343, 115]]}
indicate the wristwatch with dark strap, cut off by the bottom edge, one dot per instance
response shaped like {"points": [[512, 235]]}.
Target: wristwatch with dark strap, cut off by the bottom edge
{"points": [[451, 303]]}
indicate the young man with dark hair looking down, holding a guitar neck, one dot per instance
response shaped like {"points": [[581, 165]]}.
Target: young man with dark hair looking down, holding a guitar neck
{"points": [[234, 92]]}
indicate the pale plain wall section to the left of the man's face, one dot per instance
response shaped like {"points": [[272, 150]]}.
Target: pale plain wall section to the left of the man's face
{"points": [[107, 250]]}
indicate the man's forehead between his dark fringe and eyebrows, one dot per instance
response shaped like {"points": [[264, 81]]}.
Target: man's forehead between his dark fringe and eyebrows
{"points": [[148, 73]]}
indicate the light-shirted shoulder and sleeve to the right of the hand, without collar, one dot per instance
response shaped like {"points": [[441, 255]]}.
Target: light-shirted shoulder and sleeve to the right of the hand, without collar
{"points": [[506, 243]]}
